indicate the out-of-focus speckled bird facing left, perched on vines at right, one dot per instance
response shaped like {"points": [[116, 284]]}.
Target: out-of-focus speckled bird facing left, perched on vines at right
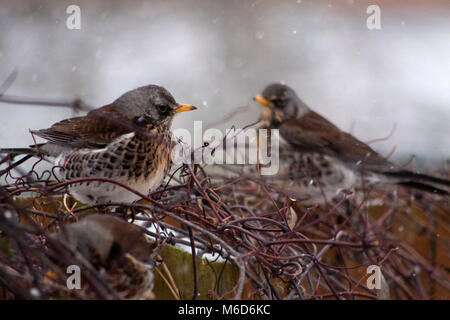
{"points": [[317, 159]]}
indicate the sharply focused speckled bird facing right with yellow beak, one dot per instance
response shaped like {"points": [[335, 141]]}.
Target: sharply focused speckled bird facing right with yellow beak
{"points": [[128, 141]]}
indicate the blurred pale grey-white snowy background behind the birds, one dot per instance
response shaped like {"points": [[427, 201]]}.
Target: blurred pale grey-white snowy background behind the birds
{"points": [[218, 54]]}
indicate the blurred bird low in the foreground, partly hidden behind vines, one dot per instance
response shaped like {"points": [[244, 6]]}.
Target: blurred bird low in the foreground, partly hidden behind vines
{"points": [[119, 250]]}
